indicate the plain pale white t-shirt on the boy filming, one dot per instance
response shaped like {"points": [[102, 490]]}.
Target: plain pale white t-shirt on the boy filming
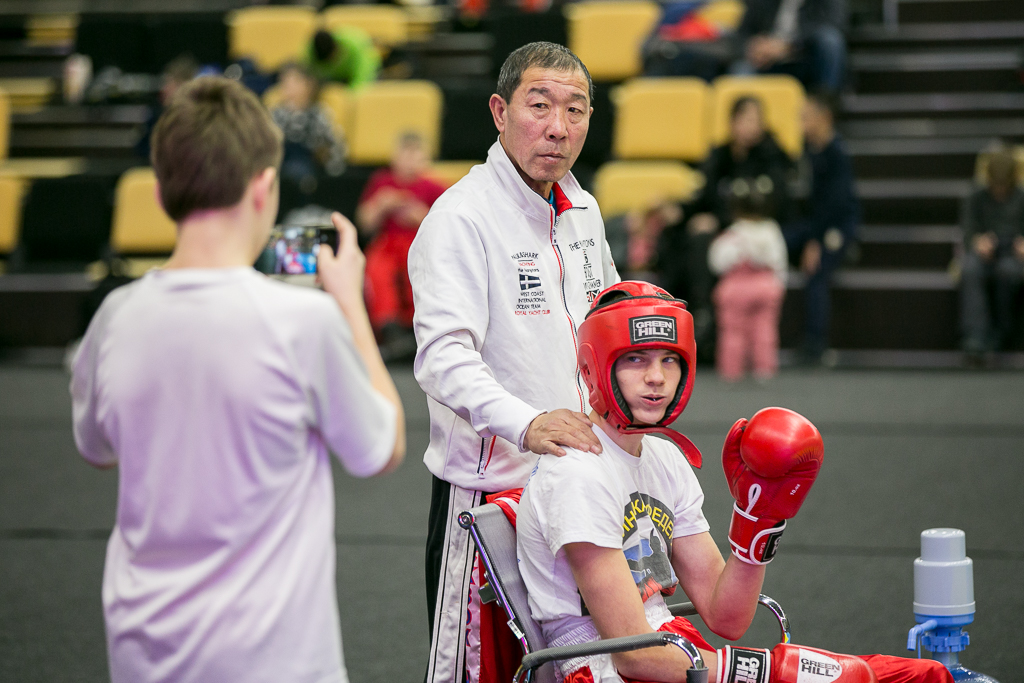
{"points": [[219, 393]]}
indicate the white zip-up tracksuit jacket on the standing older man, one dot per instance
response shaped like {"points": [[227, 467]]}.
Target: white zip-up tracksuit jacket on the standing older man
{"points": [[501, 284]]}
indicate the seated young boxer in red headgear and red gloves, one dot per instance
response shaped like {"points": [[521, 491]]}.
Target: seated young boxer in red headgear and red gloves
{"points": [[603, 538]]}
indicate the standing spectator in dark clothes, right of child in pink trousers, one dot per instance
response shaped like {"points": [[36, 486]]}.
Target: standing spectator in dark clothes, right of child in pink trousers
{"points": [[819, 239]]}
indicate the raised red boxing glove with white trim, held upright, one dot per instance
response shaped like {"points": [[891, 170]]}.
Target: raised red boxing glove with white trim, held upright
{"points": [[771, 463]]}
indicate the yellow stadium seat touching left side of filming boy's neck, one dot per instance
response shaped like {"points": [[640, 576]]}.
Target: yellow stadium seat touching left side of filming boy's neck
{"points": [[141, 227]]}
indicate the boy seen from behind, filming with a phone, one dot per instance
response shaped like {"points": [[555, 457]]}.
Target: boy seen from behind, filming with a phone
{"points": [[220, 394]]}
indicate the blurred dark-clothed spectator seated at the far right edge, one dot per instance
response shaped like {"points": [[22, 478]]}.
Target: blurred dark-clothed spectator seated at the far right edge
{"points": [[994, 259]]}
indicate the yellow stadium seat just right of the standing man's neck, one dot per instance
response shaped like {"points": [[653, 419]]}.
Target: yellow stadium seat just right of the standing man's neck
{"points": [[626, 186]]}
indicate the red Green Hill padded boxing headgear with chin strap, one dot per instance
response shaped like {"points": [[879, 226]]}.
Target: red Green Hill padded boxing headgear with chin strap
{"points": [[637, 316]]}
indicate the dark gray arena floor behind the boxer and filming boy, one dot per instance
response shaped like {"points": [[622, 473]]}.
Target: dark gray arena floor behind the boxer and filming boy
{"points": [[905, 452]]}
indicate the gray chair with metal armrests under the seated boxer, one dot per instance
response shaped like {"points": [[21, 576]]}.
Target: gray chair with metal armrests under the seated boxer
{"points": [[496, 542]]}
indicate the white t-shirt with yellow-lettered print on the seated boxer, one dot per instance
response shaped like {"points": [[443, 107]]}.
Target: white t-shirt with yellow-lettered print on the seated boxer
{"points": [[614, 500]]}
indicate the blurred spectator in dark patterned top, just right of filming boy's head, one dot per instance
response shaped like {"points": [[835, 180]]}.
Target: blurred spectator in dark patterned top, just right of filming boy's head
{"points": [[311, 145]]}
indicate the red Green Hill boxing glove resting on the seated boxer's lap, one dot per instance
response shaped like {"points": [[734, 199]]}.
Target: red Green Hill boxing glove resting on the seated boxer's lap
{"points": [[791, 664]]}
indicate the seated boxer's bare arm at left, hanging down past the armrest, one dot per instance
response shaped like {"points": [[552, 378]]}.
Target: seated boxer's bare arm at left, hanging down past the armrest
{"points": [[612, 597]]}
